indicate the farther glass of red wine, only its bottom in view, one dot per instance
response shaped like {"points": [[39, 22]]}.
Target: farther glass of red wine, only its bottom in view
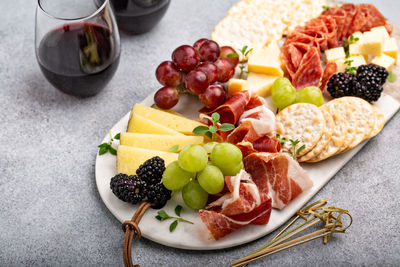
{"points": [[139, 16]]}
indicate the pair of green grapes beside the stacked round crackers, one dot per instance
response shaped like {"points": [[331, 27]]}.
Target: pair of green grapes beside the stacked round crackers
{"points": [[284, 94]]}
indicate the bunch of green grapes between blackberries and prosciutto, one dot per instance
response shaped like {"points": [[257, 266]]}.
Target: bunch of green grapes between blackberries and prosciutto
{"points": [[197, 176]]}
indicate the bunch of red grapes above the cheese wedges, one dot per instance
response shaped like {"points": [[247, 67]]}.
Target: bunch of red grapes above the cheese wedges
{"points": [[200, 70]]}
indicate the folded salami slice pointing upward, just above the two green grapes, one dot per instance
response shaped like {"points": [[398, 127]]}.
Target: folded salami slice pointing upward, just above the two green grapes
{"points": [[310, 70]]}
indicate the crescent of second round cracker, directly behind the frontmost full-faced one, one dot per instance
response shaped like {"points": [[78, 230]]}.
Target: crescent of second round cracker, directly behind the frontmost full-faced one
{"points": [[325, 138]]}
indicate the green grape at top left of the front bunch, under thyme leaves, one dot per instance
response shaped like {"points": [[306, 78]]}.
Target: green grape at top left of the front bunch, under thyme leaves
{"points": [[193, 158]]}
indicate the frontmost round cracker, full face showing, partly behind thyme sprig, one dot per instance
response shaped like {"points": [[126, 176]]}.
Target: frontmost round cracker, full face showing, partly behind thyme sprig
{"points": [[303, 122]]}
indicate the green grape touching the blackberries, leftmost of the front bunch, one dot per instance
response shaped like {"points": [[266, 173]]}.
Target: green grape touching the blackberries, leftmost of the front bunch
{"points": [[174, 177]]}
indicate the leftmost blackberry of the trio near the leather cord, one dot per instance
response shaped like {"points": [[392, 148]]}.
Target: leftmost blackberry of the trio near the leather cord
{"points": [[130, 189]]}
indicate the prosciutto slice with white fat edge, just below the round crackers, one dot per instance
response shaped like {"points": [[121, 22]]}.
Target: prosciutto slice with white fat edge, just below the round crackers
{"points": [[278, 175]]}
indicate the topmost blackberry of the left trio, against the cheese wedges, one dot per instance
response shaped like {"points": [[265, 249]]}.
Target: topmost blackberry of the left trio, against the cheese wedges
{"points": [[151, 170]]}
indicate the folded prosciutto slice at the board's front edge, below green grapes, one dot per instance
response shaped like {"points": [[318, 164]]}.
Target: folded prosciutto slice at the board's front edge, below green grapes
{"points": [[244, 204]]}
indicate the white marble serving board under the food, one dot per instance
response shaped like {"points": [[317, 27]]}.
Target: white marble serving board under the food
{"points": [[196, 237]]}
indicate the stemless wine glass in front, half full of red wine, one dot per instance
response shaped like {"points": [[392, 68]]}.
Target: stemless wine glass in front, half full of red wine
{"points": [[77, 44]]}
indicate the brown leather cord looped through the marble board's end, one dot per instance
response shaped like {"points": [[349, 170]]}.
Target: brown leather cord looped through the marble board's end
{"points": [[132, 230]]}
